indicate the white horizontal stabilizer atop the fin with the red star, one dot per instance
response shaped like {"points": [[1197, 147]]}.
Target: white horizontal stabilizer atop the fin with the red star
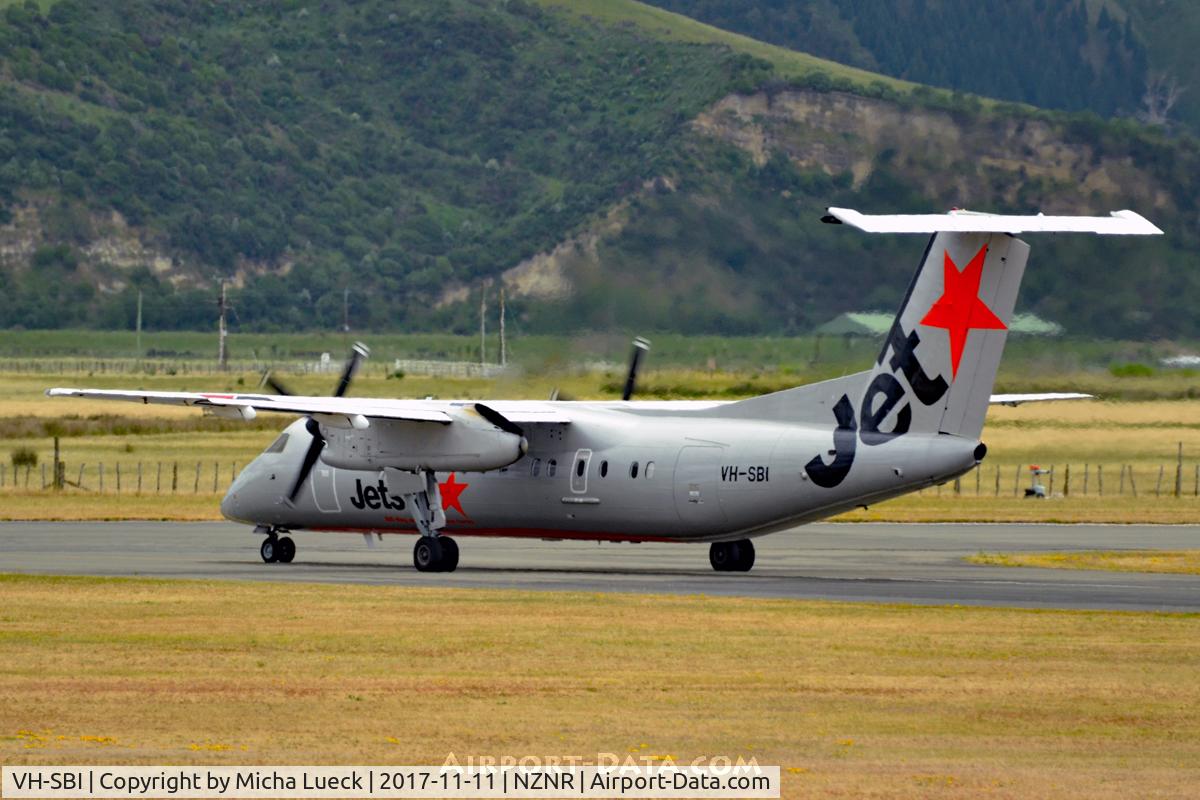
{"points": [[1120, 224]]}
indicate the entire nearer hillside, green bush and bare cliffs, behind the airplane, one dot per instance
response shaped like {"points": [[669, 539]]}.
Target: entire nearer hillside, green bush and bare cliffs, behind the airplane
{"points": [[616, 166]]}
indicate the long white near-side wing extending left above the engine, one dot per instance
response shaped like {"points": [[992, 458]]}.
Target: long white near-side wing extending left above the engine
{"points": [[327, 410]]}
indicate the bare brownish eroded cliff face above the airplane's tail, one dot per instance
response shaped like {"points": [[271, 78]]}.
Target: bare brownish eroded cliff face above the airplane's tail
{"points": [[982, 161]]}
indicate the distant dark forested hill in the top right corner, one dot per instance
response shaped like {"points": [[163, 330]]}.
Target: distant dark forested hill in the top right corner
{"points": [[1097, 56]]}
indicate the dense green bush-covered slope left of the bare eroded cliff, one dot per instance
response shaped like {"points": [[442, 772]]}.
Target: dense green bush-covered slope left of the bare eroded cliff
{"points": [[389, 148]]}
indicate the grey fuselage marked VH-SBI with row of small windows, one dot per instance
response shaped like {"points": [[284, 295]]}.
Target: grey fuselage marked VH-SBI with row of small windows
{"points": [[615, 473]]}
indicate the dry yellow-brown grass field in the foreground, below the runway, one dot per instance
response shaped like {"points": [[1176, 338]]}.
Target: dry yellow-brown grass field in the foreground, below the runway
{"points": [[851, 701]]}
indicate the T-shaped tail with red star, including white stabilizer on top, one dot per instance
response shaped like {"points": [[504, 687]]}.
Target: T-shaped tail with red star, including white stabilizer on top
{"points": [[946, 342]]}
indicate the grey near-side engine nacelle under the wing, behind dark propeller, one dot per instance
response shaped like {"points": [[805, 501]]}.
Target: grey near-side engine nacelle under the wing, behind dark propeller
{"points": [[469, 444]]}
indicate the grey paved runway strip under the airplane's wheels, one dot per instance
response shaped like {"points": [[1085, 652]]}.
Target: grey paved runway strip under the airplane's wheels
{"points": [[889, 563]]}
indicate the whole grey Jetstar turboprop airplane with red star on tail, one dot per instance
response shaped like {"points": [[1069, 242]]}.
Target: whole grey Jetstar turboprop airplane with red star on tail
{"points": [[664, 472]]}
